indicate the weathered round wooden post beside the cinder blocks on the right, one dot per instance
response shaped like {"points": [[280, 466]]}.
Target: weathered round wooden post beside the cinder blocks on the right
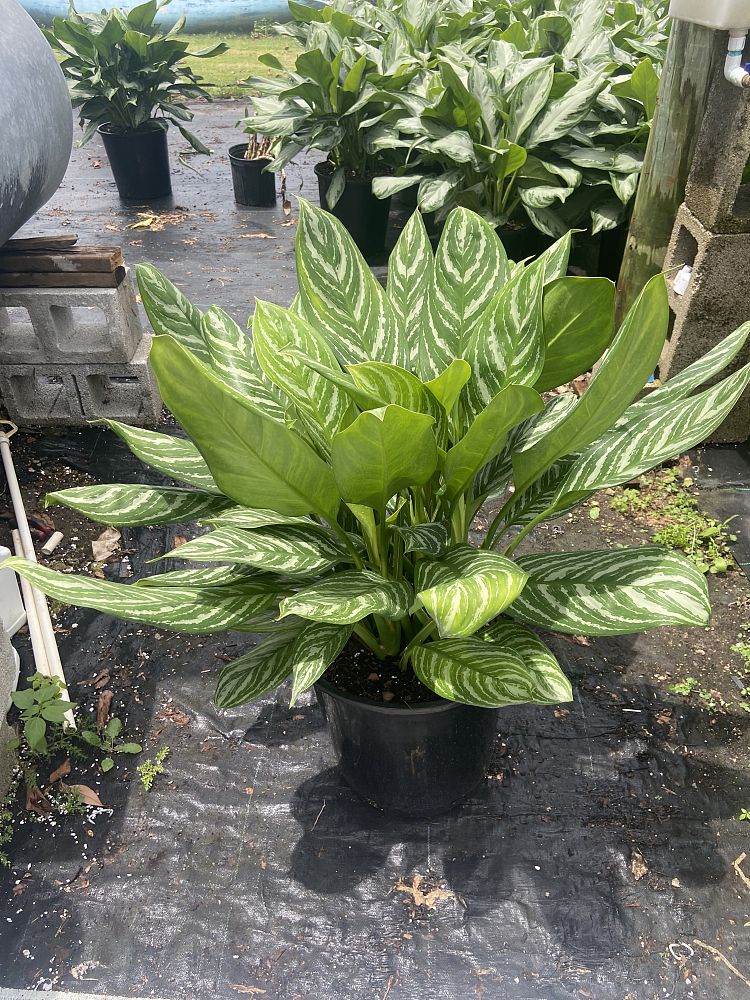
{"points": [[693, 56]]}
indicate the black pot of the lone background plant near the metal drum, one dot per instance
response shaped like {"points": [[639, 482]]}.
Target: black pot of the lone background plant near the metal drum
{"points": [[140, 161]]}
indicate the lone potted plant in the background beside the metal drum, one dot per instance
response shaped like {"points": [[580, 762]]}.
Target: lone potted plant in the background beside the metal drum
{"points": [[129, 83]]}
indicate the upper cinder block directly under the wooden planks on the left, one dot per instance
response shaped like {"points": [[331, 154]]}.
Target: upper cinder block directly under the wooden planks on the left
{"points": [[44, 325]]}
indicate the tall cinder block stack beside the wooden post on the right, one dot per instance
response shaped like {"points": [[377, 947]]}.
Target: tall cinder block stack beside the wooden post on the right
{"points": [[712, 236]]}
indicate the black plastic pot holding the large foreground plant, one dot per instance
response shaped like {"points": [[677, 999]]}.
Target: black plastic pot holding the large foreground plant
{"points": [[417, 761]]}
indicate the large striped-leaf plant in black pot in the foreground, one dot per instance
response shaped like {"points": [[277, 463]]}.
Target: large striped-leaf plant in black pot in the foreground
{"points": [[340, 457]]}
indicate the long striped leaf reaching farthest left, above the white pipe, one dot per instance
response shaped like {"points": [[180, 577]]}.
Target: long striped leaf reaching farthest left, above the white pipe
{"points": [[182, 609]]}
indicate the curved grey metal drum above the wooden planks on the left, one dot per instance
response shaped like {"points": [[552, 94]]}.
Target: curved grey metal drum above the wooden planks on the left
{"points": [[36, 122]]}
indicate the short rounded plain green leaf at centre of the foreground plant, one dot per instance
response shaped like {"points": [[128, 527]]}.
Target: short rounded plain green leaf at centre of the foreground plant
{"points": [[381, 452]]}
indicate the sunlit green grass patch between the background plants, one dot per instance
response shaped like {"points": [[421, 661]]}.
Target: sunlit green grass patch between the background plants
{"points": [[226, 72]]}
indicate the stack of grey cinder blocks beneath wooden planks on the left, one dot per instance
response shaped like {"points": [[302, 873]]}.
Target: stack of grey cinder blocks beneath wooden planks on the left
{"points": [[73, 354]]}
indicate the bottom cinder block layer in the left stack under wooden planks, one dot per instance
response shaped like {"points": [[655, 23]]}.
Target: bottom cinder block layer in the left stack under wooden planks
{"points": [[73, 394]]}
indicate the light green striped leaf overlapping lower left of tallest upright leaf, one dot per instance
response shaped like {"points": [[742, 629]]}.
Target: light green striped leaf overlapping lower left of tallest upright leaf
{"points": [[283, 343]]}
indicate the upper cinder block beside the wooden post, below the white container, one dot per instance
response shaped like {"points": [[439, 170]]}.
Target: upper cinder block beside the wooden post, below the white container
{"points": [[715, 193]]}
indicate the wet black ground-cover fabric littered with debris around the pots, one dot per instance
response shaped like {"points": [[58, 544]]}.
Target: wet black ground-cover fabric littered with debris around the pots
{"points": [[602, 858]]}
